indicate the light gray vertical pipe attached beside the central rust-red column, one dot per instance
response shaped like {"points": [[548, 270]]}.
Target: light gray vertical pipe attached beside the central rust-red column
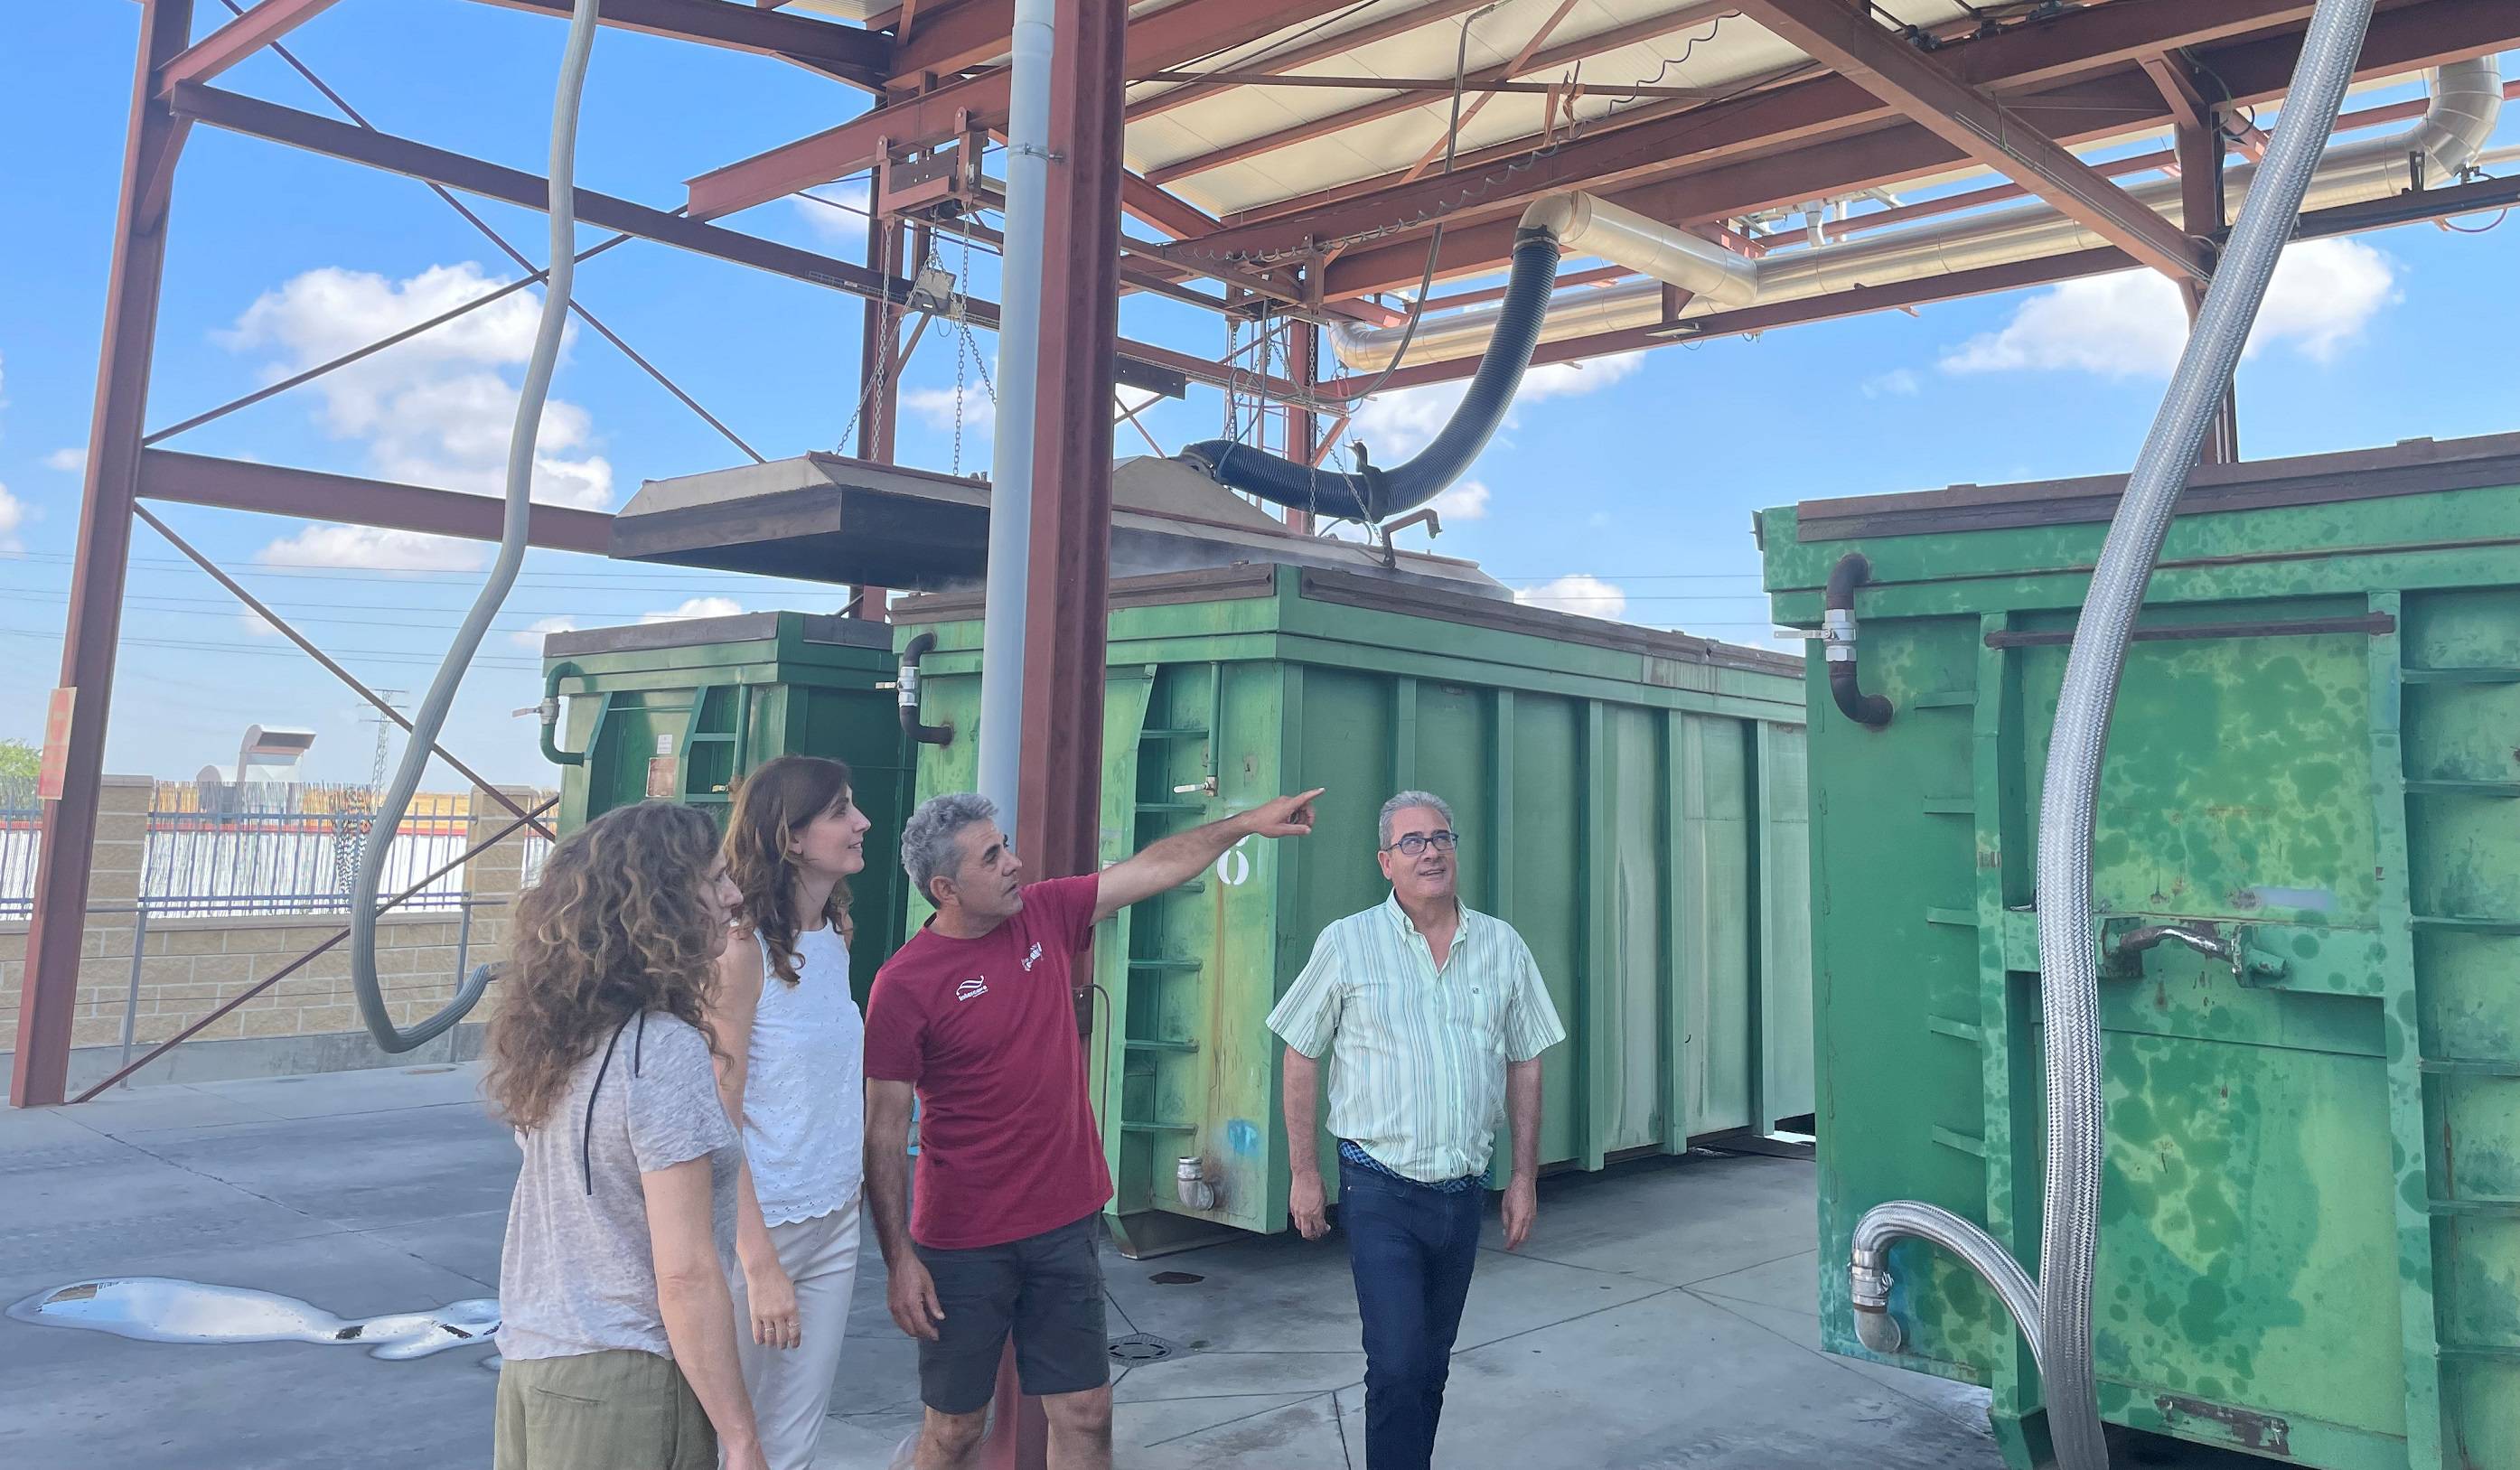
{"points": [[1019, 377]]}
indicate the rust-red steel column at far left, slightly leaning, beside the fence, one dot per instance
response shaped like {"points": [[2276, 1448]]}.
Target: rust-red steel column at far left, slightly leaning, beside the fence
{"points": [[97, 581]]}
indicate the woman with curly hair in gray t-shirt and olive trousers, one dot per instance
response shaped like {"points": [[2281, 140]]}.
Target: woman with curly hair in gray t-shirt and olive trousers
{"points": [[616, 1330]]}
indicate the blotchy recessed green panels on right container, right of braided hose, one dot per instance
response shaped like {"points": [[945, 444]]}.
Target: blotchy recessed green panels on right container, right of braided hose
{"points": [[2249, 1244]]}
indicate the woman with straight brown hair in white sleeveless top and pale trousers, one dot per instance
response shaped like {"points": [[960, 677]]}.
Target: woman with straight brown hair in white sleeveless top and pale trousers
{"points": [[793, 1073]]}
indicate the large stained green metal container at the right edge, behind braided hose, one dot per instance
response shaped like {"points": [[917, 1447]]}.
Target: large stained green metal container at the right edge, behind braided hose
{"points": [[2312, 1217]]}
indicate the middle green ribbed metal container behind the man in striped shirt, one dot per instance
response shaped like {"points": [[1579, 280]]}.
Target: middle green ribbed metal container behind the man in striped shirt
{"points": [[1629, 801]]}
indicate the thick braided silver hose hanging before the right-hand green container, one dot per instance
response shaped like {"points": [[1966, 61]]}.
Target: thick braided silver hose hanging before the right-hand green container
{"points": [[2058, 1312]]}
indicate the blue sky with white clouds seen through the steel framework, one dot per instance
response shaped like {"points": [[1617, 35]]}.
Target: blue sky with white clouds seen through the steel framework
{"points": [[1639, 475]]}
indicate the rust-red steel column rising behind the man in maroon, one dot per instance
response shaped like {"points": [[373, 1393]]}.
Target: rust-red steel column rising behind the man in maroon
{"points": [[1060, 811]]}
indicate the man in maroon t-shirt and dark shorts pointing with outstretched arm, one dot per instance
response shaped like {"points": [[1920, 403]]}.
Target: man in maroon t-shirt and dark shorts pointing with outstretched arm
{"points": [[976, 1020]]}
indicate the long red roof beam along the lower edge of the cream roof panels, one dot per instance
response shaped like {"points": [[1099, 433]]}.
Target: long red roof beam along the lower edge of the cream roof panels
{"points": [[1697, 135]]}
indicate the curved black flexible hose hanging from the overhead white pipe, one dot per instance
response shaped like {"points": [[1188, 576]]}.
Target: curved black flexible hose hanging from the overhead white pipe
{"points": [[1375, 495]]}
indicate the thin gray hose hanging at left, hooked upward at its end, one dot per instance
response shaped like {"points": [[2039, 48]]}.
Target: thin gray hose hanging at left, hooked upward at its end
{"points": [[503, 576]]}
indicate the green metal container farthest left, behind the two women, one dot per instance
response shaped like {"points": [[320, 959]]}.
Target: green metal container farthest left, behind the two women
{"points": [[684, 710]]}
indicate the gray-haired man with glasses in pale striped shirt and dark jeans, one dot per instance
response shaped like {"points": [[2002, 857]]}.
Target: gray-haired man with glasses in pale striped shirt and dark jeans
{"points": [[1435, 1020]]}
